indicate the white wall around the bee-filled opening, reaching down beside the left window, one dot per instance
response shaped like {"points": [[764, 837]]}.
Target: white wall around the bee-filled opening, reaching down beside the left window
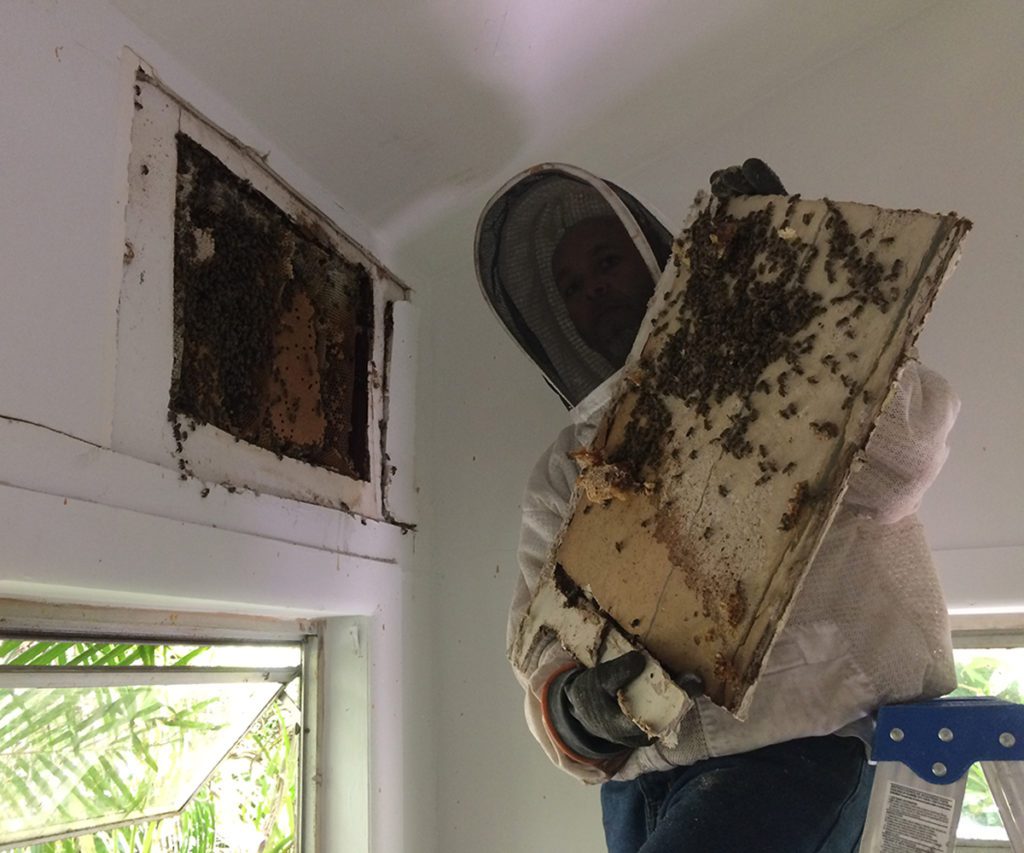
{"points": [[80, 523]]}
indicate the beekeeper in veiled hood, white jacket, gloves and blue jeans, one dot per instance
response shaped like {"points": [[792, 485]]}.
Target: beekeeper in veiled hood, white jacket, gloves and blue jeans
{"points": [[569, 262]]}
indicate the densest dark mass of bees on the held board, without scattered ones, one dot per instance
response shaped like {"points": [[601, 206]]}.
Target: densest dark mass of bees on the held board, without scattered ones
{"points": [[744, 310]]}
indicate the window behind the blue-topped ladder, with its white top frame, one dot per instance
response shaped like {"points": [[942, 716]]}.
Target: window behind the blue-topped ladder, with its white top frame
{"points": [[989, 664]]}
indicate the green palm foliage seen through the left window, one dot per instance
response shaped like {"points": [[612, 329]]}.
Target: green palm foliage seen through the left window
{"points": [[87, 747]]}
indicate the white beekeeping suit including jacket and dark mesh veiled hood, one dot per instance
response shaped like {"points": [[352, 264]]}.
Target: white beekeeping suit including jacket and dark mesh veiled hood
{"points": [[869, 626]]}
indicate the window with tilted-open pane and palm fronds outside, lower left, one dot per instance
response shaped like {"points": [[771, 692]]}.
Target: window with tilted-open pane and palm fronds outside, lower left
{"points": [[114, 745]]}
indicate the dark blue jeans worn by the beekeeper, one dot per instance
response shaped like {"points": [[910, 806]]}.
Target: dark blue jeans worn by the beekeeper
{"points": [[807, 796]]}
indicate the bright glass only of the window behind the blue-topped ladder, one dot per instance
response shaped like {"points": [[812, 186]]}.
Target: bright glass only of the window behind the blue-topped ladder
{"points": [[987, 672]]}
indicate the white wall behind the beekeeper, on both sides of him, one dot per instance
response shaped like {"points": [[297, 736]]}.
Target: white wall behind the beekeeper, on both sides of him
{"points": [[931, 115]]}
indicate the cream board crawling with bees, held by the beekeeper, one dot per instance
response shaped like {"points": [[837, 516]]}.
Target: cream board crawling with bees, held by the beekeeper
{"points": [[770, 349]]}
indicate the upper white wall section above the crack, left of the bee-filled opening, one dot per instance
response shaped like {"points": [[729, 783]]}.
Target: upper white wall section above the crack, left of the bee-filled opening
{"points": [[64, 169]]}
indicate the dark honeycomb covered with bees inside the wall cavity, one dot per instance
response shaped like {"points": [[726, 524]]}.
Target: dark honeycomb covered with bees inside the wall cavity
{"points": [[273, 327]]}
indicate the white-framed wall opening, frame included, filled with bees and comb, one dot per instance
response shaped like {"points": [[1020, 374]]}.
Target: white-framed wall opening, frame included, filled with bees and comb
{"points": [[300, 408]]}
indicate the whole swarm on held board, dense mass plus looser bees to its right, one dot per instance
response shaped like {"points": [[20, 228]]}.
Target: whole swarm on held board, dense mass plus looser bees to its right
{"points": [[746, 307]]}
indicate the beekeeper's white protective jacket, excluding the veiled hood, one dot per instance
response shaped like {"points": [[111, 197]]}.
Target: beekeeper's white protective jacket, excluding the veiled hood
{"points": [[868, 628]]}
